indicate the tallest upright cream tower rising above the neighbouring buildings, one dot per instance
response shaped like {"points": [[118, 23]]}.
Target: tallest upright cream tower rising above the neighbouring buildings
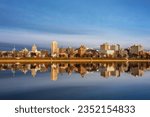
{"points": [[54, 49]]}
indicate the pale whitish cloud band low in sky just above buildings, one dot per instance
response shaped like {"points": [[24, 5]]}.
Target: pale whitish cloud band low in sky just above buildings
{"points": [[44, 39]]}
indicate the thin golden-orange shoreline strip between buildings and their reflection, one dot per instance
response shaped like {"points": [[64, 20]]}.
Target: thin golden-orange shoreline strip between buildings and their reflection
{"points": [[74, 60]]}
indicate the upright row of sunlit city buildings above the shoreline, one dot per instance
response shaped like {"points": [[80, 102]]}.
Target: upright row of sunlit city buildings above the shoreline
{"points": [[105, 50]]}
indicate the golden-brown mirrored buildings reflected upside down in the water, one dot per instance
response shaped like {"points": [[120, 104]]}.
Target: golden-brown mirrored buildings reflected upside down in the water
{"points": [[106, 70]]}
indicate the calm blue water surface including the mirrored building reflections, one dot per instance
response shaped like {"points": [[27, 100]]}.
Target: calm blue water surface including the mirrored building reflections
{"points": [[75, 81]]}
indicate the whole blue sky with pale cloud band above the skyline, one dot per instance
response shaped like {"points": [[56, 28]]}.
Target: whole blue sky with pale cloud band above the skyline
{"points": [[75, 22]]}
